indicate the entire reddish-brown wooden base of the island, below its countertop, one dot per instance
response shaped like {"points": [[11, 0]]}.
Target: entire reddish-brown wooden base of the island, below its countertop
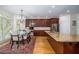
{"points": [[64, 47]]}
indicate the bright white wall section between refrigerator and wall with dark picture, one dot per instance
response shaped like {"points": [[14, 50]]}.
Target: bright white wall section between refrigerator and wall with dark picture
{"points": [[64, 22]]}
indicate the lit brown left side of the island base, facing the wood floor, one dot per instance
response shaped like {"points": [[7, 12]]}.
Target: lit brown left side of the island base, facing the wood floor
{"points": [[57, 46]]}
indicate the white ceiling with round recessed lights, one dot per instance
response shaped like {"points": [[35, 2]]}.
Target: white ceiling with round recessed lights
{"points": [[42, 11]]}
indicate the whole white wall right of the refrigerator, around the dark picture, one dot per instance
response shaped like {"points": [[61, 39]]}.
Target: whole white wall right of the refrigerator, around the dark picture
{"points": [[66, 24]]}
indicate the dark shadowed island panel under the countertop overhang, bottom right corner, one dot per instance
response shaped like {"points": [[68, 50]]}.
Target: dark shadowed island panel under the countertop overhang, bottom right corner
{"points": [[71, 48]]}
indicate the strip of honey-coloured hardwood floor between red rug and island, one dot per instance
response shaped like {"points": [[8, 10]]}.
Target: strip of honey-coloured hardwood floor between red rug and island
{"points": [[42, 46]]}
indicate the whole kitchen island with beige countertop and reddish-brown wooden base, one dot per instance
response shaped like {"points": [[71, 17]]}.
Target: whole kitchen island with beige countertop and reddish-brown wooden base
{"points": [[63, 44]]}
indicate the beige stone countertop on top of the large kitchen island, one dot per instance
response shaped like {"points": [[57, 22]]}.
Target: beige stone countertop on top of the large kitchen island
{"points": [[63, 38]]}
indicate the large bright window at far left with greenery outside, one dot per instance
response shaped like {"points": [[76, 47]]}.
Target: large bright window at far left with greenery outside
{"points": [[4, 28]]}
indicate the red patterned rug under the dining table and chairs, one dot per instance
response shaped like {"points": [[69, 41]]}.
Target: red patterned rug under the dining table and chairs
{"points": [[23, 49]]}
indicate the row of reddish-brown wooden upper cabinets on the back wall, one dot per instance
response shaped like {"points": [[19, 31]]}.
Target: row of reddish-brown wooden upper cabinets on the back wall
{"points": [[42, 22]]}
